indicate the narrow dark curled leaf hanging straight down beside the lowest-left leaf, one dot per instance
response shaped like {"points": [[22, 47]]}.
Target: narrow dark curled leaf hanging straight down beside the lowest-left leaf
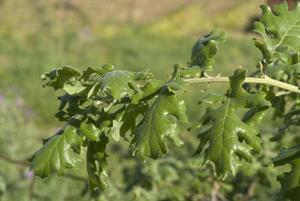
{"points": [[96, 163]]}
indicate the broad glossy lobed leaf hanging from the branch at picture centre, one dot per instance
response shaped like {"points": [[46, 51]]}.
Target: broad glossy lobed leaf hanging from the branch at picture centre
{"points": [[158, 124]]}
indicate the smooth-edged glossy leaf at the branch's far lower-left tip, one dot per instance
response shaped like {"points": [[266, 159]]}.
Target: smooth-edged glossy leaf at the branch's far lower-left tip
{"points": [[58, 153]]}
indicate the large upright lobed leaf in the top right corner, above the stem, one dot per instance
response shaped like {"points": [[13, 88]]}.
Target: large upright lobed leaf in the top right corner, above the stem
{"points": [[280, 30]]}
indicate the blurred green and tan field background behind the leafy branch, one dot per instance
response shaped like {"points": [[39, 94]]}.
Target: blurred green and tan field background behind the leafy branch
{"points": [[37, 36]]}
